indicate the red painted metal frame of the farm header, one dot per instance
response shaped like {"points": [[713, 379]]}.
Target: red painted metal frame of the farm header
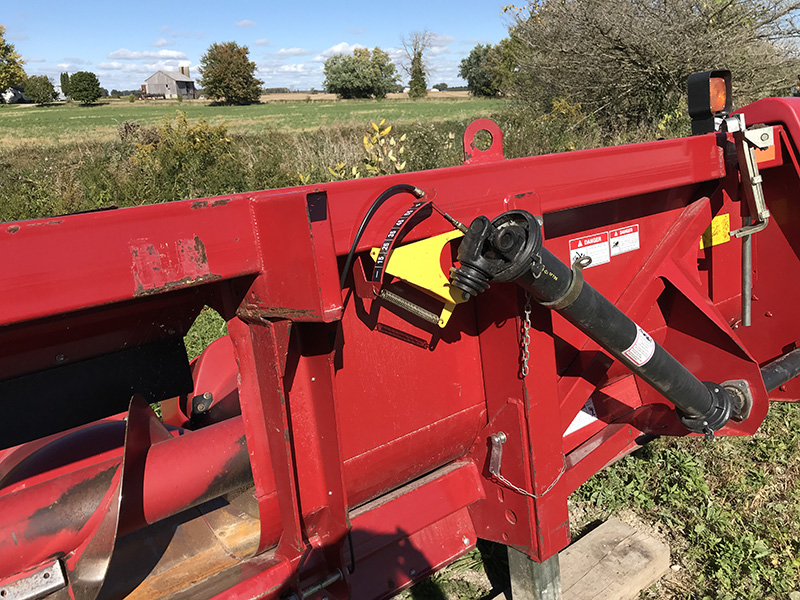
{"points": [[364, 425]]}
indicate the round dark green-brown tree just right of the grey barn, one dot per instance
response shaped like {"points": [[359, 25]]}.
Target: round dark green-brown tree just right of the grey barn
{"points": [[228, 75]]}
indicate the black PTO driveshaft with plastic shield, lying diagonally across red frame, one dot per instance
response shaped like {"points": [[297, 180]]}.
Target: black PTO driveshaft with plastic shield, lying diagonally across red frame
{"points": [[510, 249]]}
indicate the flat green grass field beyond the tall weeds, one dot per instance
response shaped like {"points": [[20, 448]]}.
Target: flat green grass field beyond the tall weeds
{"points": [[62, 123]]}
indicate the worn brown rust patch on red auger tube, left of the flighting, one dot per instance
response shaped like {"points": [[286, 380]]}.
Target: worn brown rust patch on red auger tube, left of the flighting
{"points": [[73, 508]]}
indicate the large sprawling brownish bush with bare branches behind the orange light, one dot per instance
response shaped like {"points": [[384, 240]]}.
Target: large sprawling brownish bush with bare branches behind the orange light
{"points": [[629, 61]]}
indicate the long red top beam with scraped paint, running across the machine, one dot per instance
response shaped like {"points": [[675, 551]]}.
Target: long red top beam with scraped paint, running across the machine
{"points": [[75, 262]]}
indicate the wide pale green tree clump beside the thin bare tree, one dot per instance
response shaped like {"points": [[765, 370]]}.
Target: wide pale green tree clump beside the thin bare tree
{"points": [[365, 74]]}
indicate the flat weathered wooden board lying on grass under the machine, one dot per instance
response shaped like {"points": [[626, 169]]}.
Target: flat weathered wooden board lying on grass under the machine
{"points": [[613, 562]]}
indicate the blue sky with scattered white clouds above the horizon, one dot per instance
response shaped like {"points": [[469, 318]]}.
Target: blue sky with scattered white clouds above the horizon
{"points": [[125, 41]]}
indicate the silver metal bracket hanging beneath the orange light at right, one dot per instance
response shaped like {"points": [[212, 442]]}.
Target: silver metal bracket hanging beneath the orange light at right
{"points": [[746, 141]]}
